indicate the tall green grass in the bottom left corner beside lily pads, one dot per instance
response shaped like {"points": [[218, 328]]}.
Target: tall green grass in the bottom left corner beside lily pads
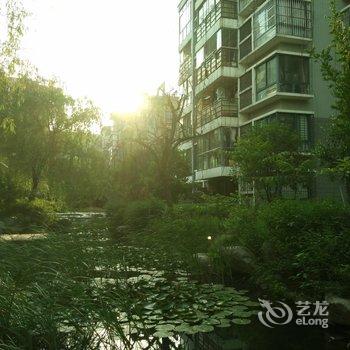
{"points": [[64, 292]]}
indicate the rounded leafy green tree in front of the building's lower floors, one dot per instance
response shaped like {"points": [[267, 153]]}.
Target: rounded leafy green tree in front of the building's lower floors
{"points": [[269, 157]]}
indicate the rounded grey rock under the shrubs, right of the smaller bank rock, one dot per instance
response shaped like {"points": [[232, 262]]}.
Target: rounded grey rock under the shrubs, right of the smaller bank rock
{"points": [[241, 259]]}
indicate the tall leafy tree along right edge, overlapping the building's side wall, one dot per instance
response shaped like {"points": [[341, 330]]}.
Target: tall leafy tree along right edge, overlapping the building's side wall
{"points": [[335, 68]]}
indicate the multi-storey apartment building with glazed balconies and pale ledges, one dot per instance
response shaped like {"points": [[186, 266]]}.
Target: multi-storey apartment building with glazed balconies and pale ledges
{"points": [[246, 62]]}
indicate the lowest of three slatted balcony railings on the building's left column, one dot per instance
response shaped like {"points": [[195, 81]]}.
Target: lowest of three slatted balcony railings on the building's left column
{"points": [[220, 108]]}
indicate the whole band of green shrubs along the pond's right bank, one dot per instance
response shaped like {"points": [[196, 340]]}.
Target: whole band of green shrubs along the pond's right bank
{"points": [[301, 247]]}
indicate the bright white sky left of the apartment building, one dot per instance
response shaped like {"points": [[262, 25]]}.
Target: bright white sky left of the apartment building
{"points": [[111, 51]]}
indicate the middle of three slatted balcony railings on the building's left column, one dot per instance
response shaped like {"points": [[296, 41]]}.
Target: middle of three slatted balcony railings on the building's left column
{"points": [[224, 57]]}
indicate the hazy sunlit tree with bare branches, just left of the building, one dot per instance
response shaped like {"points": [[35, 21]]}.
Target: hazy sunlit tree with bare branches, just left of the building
{"points": [[155, 166]]}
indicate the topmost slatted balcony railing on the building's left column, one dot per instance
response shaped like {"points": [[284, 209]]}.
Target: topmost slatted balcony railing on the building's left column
{"points": [[223, 9]]}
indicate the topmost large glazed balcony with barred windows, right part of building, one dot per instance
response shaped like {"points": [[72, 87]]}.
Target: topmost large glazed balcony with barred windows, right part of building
{"points": [[276, 22]]}
